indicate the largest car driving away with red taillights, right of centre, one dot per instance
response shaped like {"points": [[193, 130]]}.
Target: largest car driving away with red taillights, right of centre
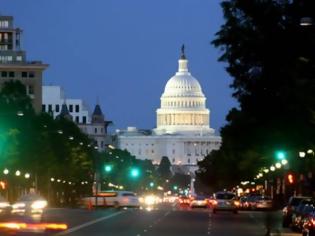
{"points": [[225, 201]]}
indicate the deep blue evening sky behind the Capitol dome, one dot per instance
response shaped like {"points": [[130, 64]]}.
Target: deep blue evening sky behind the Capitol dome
{"points": [[124, 51]]}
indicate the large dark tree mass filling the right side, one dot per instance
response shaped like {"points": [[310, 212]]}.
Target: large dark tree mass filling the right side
{"points": [[270, 57]]}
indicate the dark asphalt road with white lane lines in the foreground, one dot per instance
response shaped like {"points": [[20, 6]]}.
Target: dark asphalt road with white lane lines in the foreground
{"points": [[166, 221]]}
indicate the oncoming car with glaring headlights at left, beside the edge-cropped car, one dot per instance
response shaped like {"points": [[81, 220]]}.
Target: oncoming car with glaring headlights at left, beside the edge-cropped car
{"points": [[29, 204]]}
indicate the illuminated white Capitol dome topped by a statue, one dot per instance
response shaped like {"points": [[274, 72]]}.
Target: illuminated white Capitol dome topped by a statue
{"points": [[183, 104]]}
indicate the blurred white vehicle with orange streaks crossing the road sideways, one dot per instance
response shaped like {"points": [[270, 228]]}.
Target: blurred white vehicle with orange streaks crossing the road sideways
{"points": [[115, 199]]}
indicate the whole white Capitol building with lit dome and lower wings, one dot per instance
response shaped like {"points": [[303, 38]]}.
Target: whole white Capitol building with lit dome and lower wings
{"points": [[182, 132]]}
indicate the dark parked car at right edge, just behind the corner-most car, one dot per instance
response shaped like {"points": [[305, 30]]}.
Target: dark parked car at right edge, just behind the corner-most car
{"points": [[305, 207]]}
